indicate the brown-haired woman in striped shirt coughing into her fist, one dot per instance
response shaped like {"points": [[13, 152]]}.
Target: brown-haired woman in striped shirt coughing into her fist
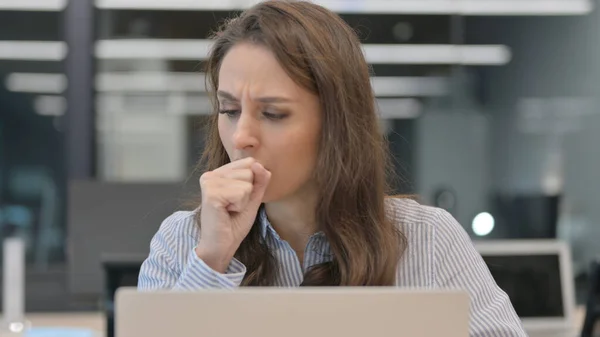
{"points": [[295, 181]]}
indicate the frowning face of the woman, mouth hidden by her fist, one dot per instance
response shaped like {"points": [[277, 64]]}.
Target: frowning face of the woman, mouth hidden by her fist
{"points": [[264, 114]]}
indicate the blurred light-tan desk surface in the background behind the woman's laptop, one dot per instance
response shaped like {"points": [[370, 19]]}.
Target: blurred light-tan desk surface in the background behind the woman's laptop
{"points": [[96, 321]]}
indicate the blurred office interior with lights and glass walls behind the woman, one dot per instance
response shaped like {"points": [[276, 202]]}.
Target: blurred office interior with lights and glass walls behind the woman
{"points": [[491, 108]]}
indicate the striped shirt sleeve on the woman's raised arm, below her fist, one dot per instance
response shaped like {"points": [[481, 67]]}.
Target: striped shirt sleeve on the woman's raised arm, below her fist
{"points": [[173, 264]]}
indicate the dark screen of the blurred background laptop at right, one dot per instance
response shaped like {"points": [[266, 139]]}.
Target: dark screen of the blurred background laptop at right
{"points": [[533, 283]]}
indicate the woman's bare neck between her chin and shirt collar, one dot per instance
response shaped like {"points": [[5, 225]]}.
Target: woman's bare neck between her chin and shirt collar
{"points": [[293, 219]]}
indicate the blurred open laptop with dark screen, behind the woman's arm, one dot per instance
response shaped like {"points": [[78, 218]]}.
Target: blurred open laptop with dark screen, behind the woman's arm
{"points": [[537, 276]]}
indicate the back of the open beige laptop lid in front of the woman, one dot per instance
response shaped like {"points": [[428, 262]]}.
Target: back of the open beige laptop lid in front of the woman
{"points": [[292, 312]]}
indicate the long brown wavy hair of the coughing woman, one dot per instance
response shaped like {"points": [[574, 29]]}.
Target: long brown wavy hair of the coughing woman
{"points": [[322, 54]]}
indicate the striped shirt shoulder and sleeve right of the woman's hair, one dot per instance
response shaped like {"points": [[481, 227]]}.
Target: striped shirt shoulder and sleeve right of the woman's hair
{"points": [[440, 255]]}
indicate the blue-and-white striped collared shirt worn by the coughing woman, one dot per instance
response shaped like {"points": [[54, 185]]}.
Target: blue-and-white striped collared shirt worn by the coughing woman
{"points": [[439, 255]]}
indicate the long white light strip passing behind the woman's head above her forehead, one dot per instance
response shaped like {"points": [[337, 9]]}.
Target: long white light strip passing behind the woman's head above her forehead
{"points": [[172, 49]]}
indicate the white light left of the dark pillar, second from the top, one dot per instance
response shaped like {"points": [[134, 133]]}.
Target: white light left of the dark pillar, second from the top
{"points": [[33, 50]]}
